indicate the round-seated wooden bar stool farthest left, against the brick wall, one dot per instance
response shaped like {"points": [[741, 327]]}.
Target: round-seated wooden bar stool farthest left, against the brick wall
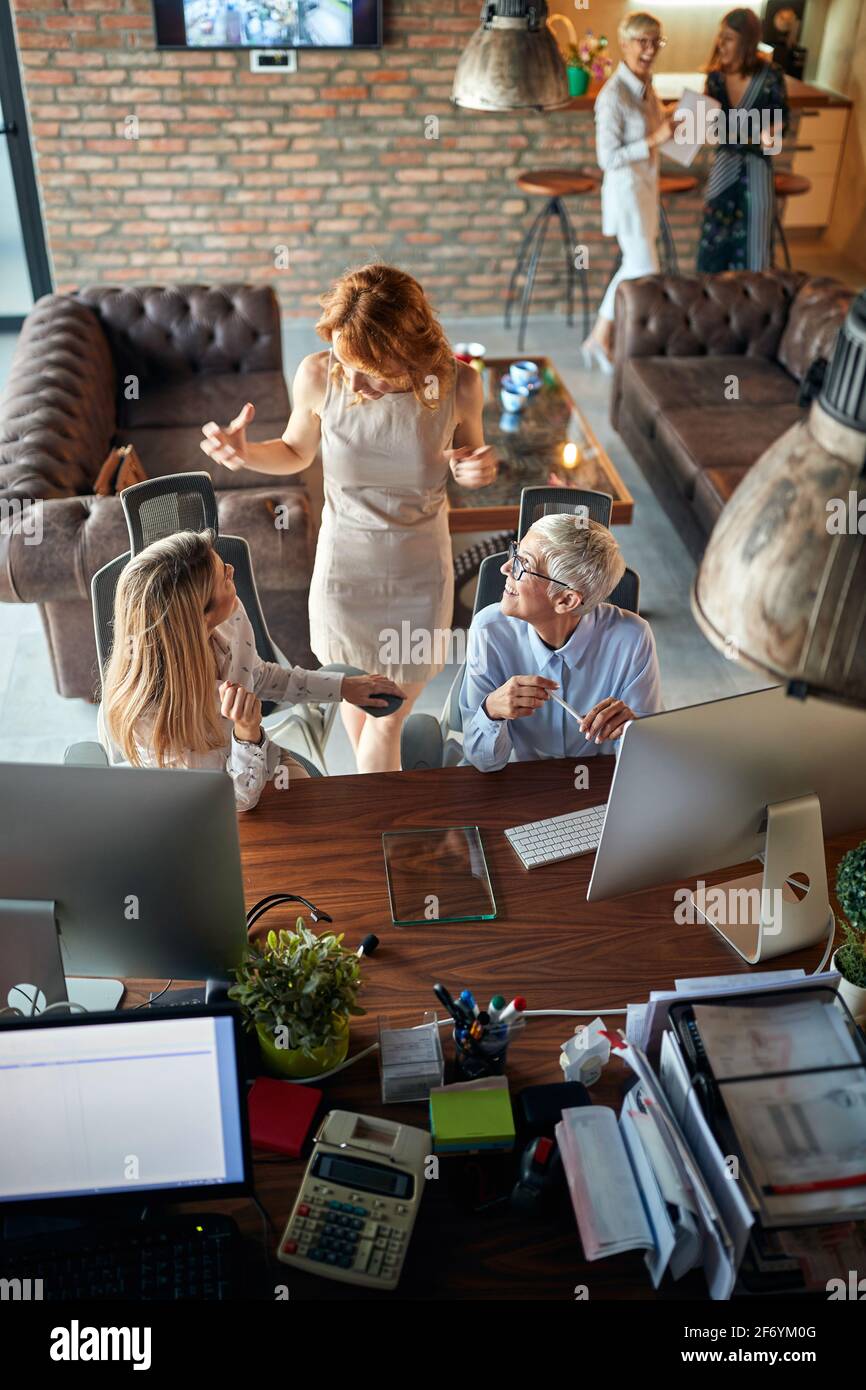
{"points": [[555, 186]]}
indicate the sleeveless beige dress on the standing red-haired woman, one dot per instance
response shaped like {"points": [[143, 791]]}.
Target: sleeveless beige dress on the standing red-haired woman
{"points": [[383, 586]]}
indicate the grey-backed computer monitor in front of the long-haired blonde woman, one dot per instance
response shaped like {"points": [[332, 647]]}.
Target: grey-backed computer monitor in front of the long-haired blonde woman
{"points": [[131, 872]]}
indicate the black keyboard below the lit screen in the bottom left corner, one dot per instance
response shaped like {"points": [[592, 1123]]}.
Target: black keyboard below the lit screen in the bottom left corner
{"points": [[173, 1259]]}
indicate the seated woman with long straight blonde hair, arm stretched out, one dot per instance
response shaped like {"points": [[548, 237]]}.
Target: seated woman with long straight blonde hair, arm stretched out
{"points": [[184, 685]]}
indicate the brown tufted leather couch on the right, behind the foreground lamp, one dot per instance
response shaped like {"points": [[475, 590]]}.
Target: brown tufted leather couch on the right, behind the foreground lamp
{"points": [[708, 373]]}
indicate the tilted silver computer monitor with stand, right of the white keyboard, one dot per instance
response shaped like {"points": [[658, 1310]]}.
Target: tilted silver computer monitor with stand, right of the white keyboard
{"points": [[712, 786]]}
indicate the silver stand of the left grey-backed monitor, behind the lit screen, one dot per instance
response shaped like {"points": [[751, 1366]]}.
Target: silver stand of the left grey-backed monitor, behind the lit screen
{"points": [[31, 965]]}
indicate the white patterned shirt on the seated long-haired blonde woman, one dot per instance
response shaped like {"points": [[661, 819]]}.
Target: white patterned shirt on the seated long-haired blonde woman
{"points": [[250, 765]]}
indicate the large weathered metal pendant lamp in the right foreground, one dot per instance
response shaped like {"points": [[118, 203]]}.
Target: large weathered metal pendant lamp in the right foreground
{"points": [[782, 586]]}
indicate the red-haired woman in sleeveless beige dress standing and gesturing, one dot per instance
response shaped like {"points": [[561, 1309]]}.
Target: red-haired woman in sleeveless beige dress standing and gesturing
{"points": [[393, 412]]}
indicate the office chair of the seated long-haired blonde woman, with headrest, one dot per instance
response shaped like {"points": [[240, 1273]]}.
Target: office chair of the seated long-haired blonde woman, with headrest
{"points": [[187, 502]]}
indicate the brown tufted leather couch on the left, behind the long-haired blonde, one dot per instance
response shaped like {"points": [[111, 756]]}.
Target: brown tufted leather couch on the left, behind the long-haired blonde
{"points": [[147, 366]]}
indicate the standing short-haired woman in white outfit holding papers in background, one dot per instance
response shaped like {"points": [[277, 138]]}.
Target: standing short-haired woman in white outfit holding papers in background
{"points": [[630, 124]]}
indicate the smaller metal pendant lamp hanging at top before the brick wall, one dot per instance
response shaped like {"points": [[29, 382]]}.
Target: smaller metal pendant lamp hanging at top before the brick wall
{"points": [[512, 62]]}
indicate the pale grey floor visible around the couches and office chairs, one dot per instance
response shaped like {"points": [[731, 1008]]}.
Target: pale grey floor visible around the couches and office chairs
{"points": [[37, 725]]}
